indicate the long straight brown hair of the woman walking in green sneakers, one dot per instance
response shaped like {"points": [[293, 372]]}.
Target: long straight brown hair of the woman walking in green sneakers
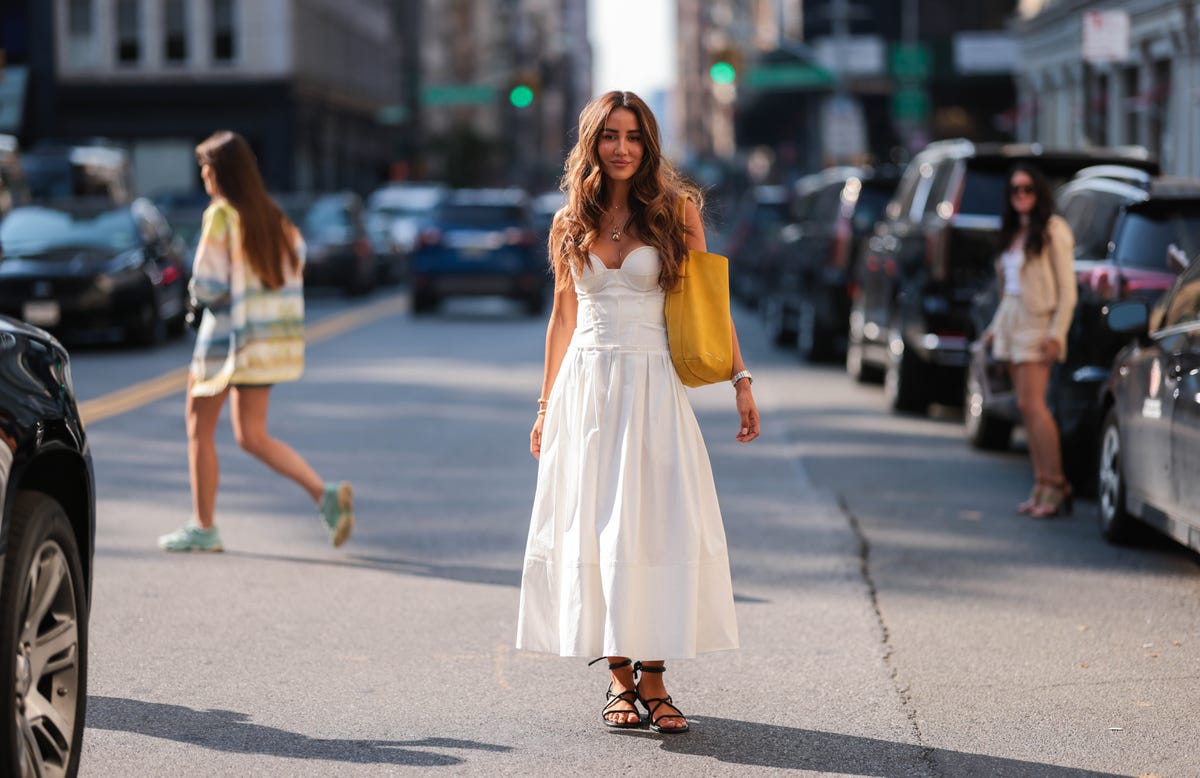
{"points": [[266, 232]]}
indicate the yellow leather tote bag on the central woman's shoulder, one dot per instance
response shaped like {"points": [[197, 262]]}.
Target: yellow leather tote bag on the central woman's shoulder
{"points": [[698, 314]]}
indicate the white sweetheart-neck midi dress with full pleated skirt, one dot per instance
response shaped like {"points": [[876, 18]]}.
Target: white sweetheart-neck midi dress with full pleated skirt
{"points": [[627, 554]]}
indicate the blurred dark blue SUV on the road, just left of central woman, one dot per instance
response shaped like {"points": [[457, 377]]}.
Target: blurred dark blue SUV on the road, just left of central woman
{"points": [[481, 242]]}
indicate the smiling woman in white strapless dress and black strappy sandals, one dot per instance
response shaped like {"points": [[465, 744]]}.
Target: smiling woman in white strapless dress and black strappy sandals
{"points": [[627, 554]]}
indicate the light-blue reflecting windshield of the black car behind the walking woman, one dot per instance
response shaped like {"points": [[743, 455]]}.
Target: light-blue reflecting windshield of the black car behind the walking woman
{"points": [[34, 231]]}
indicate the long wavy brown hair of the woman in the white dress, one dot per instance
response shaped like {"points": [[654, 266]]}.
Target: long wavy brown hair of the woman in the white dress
{"points": [[653, 199]]}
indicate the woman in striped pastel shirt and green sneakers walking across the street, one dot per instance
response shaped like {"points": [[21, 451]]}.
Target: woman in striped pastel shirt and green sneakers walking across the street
{"points": [[249, 279]]}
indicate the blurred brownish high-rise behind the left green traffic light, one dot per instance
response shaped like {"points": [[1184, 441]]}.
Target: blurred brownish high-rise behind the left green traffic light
{"points": [[502, 86]]}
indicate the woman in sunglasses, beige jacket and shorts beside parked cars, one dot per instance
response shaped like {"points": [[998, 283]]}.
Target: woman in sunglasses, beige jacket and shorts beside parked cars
{"points": [[1037, 282]]}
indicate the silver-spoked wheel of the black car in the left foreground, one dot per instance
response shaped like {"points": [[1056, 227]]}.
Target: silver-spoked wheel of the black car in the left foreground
{"points": [[44, 641]]}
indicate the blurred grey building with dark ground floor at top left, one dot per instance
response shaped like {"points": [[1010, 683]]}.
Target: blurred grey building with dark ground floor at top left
{"points": [[305, 81]]}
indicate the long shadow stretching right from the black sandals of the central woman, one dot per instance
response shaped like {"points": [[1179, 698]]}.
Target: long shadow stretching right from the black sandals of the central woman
{"points": [[769, 746]]}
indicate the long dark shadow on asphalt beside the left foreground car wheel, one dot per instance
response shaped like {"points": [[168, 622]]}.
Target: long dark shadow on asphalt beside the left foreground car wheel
{"points": [[233, 733]]}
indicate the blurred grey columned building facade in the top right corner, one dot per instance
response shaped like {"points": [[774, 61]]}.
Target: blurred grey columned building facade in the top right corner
{"points": [[1142, 89]]}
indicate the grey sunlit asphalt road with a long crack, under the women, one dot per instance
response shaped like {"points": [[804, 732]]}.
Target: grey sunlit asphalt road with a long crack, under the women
{"points": [[897, 618]]}
